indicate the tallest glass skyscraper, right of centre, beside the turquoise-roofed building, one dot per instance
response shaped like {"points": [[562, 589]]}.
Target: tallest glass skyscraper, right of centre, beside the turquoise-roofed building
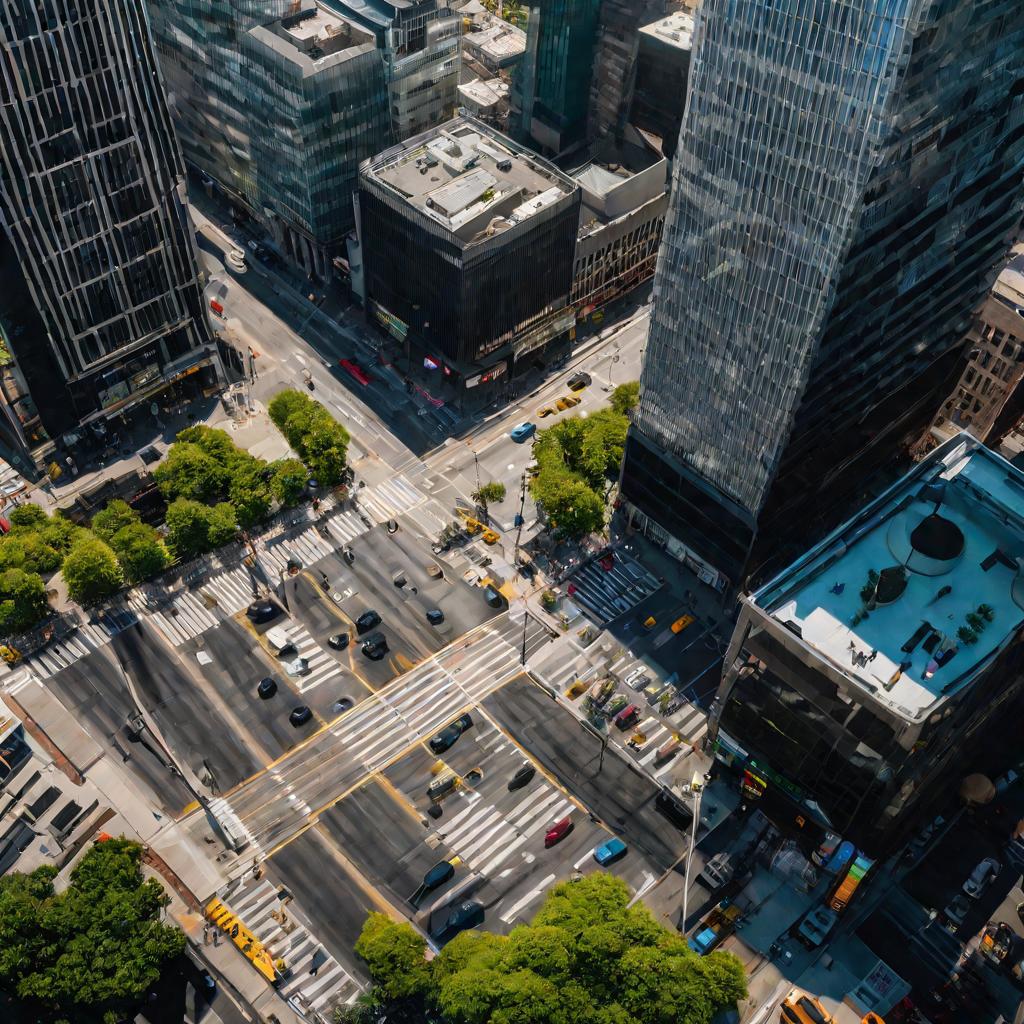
{"points": [[846, 186]]}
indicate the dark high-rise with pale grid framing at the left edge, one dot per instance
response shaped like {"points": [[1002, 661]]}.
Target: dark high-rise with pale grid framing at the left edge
{"points": [[101, 306]]}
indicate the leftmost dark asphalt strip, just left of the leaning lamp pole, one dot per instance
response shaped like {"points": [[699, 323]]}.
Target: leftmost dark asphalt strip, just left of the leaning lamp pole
{"points": [[95, 692]]}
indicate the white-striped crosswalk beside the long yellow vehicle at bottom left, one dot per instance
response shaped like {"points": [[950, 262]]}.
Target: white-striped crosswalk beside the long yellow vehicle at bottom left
{"points": [[261, 907]]}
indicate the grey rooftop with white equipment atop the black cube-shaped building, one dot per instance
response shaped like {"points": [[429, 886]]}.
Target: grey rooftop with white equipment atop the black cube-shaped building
{"points": [[470, 179]]}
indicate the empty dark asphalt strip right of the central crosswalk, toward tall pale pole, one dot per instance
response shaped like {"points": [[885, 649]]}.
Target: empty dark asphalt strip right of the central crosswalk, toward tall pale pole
{"points": [[617, 793]]}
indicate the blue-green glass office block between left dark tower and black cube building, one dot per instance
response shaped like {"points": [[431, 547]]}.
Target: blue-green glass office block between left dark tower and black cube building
{"points": [[279, 103]]}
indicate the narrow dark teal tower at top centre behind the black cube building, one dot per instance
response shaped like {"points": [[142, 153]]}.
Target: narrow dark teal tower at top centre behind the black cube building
{"points": [[551, 89]]}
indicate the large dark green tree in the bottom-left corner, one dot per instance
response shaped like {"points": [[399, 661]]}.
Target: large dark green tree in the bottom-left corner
{"points": [[97, 946]]}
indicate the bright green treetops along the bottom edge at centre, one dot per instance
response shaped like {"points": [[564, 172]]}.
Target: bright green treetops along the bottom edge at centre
{"points": [[588, 958]]}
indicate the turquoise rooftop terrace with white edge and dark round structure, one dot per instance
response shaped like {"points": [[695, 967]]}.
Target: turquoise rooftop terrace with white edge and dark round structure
{"points": [[913, 598]]}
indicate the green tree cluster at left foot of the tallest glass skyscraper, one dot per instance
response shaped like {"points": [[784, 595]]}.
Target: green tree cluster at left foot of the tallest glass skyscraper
{"points": [[578, 463]]}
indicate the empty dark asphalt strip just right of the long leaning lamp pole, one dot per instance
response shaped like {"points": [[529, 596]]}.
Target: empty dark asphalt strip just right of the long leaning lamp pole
{"points": [[183, 708]]}
